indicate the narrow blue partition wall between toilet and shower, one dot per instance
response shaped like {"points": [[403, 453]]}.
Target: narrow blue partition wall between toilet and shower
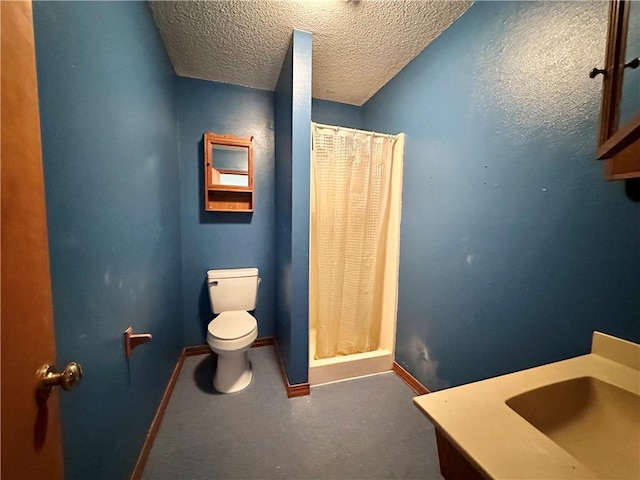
{"points": [[293, 149]]}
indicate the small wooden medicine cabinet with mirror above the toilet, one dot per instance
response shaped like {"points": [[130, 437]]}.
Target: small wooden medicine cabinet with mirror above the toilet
{"points": [[228, 173]]}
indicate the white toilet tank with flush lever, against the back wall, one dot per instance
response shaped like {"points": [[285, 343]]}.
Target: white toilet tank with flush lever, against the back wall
{"points": [[233, 289]]}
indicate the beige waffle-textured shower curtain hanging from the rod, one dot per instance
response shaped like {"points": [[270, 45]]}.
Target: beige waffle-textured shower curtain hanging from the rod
{"points": [[351, 174]]}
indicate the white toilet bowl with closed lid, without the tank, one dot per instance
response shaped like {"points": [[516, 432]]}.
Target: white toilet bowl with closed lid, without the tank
{"points": [[230, 335]]}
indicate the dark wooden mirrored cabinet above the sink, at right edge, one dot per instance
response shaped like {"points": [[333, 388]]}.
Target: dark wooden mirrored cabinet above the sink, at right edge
{"points": [[619, 136]]}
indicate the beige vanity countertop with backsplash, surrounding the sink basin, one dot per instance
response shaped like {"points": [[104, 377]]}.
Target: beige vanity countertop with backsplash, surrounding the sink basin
{"points": [[502, 444]]}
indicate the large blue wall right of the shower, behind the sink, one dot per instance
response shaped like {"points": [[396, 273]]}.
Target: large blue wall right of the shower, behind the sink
{"points": [[513, 247]]}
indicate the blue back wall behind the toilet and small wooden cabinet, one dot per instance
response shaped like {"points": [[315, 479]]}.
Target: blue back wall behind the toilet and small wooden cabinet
{"points": [[213, 240]]}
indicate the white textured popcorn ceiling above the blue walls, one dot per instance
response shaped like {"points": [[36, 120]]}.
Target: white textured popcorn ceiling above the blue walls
{"points": [[358, 45]]}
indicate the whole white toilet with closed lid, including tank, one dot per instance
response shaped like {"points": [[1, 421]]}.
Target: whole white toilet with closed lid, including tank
{"points": [[230, 334]]}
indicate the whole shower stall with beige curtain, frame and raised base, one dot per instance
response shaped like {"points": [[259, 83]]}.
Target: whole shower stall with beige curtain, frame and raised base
{"points": [[356, 191]]}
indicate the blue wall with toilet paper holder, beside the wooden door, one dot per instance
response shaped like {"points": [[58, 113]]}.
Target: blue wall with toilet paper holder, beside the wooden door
{"points": [[110, 149]]}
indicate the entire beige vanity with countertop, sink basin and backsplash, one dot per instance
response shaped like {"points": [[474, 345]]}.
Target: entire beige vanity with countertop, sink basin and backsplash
{"points": [[575, 419]]}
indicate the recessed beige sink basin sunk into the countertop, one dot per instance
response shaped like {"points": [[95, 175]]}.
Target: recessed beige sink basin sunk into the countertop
{"points": [[596, 422]]}
